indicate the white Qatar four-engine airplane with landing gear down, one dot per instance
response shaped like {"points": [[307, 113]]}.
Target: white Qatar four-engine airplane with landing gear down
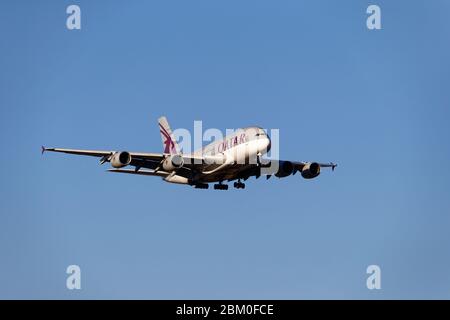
{"points": [[235, 158]]}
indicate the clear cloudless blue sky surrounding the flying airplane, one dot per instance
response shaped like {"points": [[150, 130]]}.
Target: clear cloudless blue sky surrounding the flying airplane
{"points": [[376, 102]]}
